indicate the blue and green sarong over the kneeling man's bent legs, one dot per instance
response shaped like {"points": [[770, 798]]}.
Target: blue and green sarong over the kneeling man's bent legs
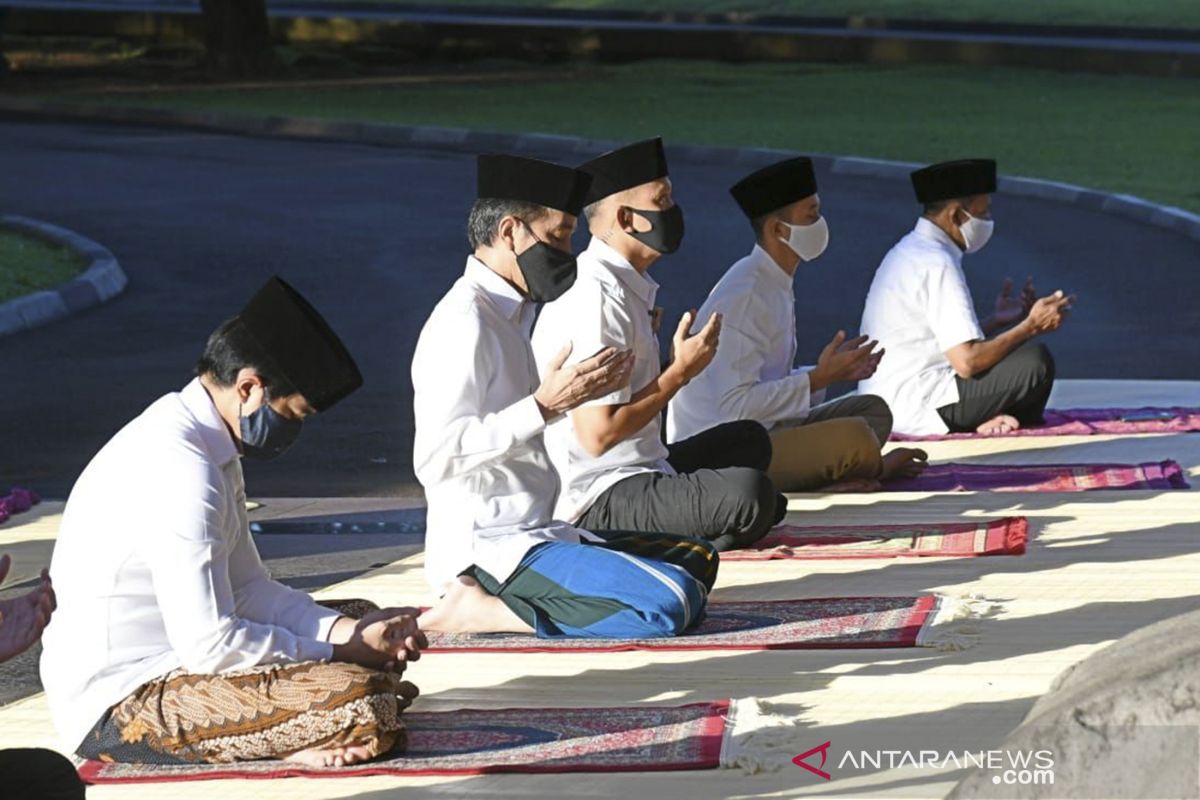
{"points": [[563, 590]]}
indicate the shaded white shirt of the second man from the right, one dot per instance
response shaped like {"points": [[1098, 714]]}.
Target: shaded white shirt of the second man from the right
{"points": [[753, 376]]}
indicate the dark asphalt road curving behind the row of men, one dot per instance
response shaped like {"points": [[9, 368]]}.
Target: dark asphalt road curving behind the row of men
{"points": [[374, 237]]}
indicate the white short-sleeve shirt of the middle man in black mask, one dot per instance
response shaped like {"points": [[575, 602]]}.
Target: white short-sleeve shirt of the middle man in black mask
{"points": [[611, 305]]}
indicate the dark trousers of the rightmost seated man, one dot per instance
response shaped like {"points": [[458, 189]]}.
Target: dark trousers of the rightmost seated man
{"points": [[1019, 386]]}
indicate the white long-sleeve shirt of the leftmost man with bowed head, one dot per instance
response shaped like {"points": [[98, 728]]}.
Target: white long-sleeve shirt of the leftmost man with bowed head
{"points": [[155, 570]]}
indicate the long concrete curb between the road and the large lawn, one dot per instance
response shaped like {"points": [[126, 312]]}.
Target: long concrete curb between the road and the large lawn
{"points": [[475, 142]]}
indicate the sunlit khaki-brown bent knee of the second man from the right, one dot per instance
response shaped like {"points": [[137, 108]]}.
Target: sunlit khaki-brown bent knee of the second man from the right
{"points": [[823, 454]]}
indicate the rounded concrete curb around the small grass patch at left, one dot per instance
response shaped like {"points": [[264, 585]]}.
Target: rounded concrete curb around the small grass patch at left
{"points": [[103, 281]]}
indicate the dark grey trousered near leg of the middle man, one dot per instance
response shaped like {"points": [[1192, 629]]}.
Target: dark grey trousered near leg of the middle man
{"points": [[730, 508]]}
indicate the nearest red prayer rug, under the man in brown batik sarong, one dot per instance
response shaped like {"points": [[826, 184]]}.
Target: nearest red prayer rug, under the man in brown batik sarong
{"points": [[475, 742]]}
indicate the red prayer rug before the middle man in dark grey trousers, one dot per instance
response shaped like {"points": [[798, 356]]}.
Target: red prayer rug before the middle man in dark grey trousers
{"points": [[1006, 537]]}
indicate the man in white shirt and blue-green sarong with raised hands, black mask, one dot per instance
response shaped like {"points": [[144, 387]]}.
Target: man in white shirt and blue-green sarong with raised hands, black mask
{"points": [[494, 551]]}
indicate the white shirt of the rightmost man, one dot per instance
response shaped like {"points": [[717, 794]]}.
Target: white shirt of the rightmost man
{"points": [[919, 308]]}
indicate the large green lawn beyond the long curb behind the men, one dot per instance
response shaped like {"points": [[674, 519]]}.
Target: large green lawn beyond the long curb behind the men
{"points": [[1119, 134]]}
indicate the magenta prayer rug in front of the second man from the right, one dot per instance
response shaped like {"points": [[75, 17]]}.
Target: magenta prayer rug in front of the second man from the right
{"points": [[1042, 478]]}
